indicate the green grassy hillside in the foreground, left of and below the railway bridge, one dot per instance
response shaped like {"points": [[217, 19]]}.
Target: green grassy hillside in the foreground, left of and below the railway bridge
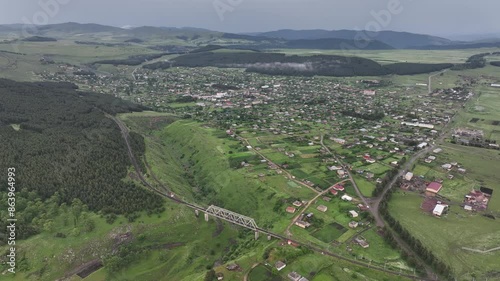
{"points": [[57, 256]]}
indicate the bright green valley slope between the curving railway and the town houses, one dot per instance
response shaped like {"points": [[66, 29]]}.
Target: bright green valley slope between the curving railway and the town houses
{"points": [[235, 190]]}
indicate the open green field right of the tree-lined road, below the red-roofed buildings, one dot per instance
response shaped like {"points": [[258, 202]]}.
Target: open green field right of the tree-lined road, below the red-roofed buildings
{"points": [[447, 235]]}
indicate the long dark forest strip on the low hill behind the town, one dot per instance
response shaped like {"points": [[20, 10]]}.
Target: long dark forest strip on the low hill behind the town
{"points": [[281, 64]]}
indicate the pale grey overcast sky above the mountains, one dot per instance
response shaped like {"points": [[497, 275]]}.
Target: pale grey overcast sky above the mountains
{"points": [[440, 17]]}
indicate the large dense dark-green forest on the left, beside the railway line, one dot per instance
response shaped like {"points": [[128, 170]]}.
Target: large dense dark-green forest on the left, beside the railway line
{"points": [[60, 142]]}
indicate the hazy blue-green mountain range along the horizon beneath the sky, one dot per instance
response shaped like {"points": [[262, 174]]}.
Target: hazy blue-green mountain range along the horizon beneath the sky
{"points": [[285, 38]]}
